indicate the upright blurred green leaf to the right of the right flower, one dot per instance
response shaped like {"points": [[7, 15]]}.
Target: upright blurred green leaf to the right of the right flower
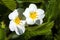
{"points": [[51, 10]]}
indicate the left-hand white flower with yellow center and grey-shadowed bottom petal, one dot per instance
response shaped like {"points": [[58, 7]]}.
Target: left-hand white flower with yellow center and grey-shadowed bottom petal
{"points": [[16, 24]]}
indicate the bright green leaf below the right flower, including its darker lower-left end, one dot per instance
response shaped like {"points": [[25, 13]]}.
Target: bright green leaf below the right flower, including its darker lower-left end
{"points": [[39, 30]]}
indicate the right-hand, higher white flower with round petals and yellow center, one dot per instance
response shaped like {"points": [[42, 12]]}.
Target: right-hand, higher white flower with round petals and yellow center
{"points": [[33, 14]]}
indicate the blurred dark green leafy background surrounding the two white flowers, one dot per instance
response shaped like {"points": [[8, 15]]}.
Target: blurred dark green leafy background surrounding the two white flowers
{"points": [[49, 30]]}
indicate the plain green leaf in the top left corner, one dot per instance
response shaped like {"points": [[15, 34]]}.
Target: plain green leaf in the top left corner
{"points": [[11, 4]]}
